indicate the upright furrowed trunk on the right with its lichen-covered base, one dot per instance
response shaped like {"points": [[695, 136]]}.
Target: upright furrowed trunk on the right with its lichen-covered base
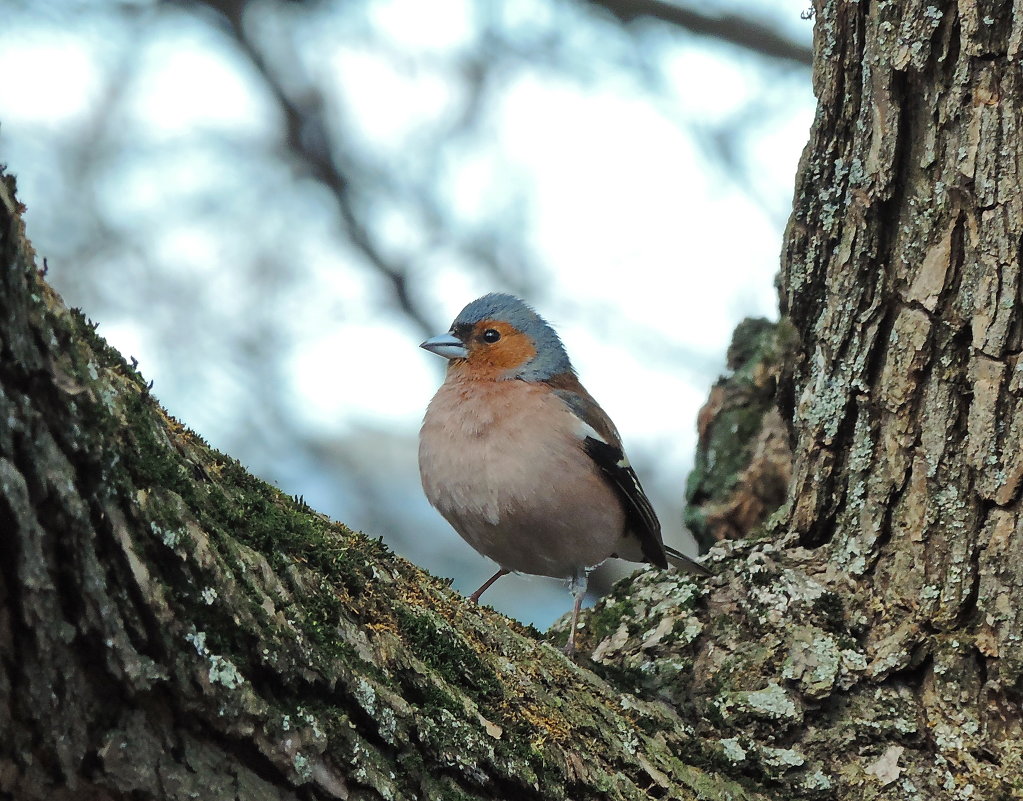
{"points": [[874, 648]]}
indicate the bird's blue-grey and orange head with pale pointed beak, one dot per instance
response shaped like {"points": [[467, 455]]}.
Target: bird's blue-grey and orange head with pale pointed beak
{"points": [[501, 337]]}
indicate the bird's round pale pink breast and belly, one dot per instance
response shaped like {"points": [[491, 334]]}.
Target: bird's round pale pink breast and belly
{"points": [[524, 495]]}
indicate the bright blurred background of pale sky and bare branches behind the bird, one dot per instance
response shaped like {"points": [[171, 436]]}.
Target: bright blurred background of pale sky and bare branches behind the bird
{"points": [[626, 166]]}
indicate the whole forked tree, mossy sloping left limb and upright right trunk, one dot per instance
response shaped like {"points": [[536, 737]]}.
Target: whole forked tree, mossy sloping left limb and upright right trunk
{"points": [[171, 628]]}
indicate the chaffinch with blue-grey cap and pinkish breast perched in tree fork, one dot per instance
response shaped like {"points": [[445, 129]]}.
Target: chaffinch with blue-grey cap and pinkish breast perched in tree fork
{"points": [[523, 463]]}
